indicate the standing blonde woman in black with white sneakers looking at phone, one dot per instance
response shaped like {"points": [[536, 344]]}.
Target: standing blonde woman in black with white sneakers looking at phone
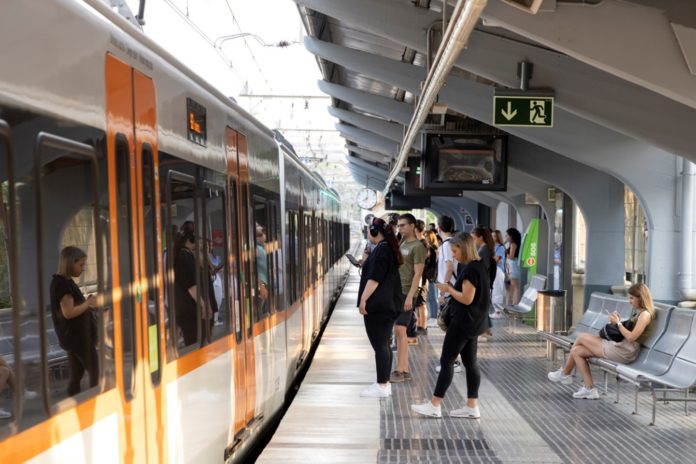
{"points": [[471, 295]]}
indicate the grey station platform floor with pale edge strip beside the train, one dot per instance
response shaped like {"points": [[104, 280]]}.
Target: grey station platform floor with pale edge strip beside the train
{"points": [[524, 417]]}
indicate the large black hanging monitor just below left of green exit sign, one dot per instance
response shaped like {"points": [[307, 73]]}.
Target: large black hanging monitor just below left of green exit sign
{"points": [[464, 162]]}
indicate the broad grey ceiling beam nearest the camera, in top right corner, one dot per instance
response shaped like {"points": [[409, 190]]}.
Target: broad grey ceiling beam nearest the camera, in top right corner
{"points": [[636, 43]]}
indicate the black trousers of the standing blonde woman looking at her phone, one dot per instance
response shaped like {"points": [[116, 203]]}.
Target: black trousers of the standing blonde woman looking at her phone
{"points": [[456, 344]]}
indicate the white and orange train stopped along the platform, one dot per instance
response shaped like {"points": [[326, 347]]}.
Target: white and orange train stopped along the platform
{"points": [[111, 145]]}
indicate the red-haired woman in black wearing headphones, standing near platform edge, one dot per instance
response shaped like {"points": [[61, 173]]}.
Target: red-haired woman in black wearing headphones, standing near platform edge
{"points": [[379, 298]]}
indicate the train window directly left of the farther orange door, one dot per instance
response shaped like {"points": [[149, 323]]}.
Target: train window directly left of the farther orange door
{"points": [[215, 252]]}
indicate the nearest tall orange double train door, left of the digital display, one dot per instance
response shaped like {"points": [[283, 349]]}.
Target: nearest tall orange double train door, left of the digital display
{"points": [[134, 220]]}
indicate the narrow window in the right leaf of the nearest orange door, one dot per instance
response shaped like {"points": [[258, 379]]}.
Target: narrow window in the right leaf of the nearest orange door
{"points": [[152, 262]]}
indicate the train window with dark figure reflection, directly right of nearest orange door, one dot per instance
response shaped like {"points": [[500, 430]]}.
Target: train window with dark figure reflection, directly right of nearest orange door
{"points": [[182, 273]]}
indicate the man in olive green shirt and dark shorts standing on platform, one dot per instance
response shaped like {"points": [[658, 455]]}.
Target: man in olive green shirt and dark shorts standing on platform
{"points": [[410, 273]]}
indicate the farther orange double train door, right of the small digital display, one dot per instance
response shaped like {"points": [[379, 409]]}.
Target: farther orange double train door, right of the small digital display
{"points": [[240, 285]]}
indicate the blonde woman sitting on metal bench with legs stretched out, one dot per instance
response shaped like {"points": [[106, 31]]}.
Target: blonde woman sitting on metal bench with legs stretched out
{"points": [[625, 352]]}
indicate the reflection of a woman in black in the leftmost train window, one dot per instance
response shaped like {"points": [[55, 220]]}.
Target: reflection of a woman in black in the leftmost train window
{"points": [[74, 323]]}
